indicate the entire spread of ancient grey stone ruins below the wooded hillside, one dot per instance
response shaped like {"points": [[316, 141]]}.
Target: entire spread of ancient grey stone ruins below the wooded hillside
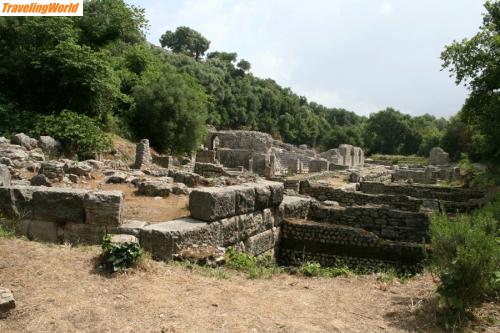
{"points": [[331, 207]]}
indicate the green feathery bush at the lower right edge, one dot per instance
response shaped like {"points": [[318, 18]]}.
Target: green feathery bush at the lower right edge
{"points": [[466, 257]]}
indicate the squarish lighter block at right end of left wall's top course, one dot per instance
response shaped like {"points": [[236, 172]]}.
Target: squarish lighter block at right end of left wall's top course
{"points": [[103, 208]]}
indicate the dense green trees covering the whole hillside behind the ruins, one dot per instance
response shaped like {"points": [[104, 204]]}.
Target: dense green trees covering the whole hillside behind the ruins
{"points": [[101, 66]]}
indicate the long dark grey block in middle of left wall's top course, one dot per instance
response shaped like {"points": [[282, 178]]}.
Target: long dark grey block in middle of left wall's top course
{"points": [[59, 205]]}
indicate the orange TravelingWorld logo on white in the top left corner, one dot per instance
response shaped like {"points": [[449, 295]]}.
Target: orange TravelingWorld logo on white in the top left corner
{"points": [[41, 8]]}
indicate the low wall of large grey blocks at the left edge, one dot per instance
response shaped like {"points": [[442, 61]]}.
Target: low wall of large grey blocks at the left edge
{"points": [[61, 215]]}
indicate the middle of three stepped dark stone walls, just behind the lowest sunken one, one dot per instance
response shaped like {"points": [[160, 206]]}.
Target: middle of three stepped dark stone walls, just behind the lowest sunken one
{"points": [[383, 221]]}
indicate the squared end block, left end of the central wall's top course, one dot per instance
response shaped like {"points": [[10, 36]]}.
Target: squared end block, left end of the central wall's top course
{"points": [[211, 204]]}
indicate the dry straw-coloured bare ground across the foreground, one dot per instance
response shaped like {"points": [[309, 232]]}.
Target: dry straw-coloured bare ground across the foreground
{"points": [[57, 290]]}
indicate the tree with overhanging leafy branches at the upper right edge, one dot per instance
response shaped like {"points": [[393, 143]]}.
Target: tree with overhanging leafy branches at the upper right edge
{"points": [[475, 62]]}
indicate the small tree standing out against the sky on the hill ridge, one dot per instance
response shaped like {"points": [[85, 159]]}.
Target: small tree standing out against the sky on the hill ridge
{"points": [[185, 40]]}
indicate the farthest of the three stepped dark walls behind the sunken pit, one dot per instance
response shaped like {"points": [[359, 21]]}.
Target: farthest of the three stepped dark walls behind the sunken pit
{"points": [[350, 198]]}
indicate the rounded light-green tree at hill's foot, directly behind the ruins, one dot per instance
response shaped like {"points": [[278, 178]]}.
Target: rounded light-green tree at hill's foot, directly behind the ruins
{"points": [[170, 111]]}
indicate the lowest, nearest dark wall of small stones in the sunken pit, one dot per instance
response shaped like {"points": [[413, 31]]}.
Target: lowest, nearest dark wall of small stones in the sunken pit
{"points": [[331, 245]]}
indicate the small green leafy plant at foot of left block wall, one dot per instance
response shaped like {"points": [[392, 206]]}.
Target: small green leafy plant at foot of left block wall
{"points": [[117, 257]]}
